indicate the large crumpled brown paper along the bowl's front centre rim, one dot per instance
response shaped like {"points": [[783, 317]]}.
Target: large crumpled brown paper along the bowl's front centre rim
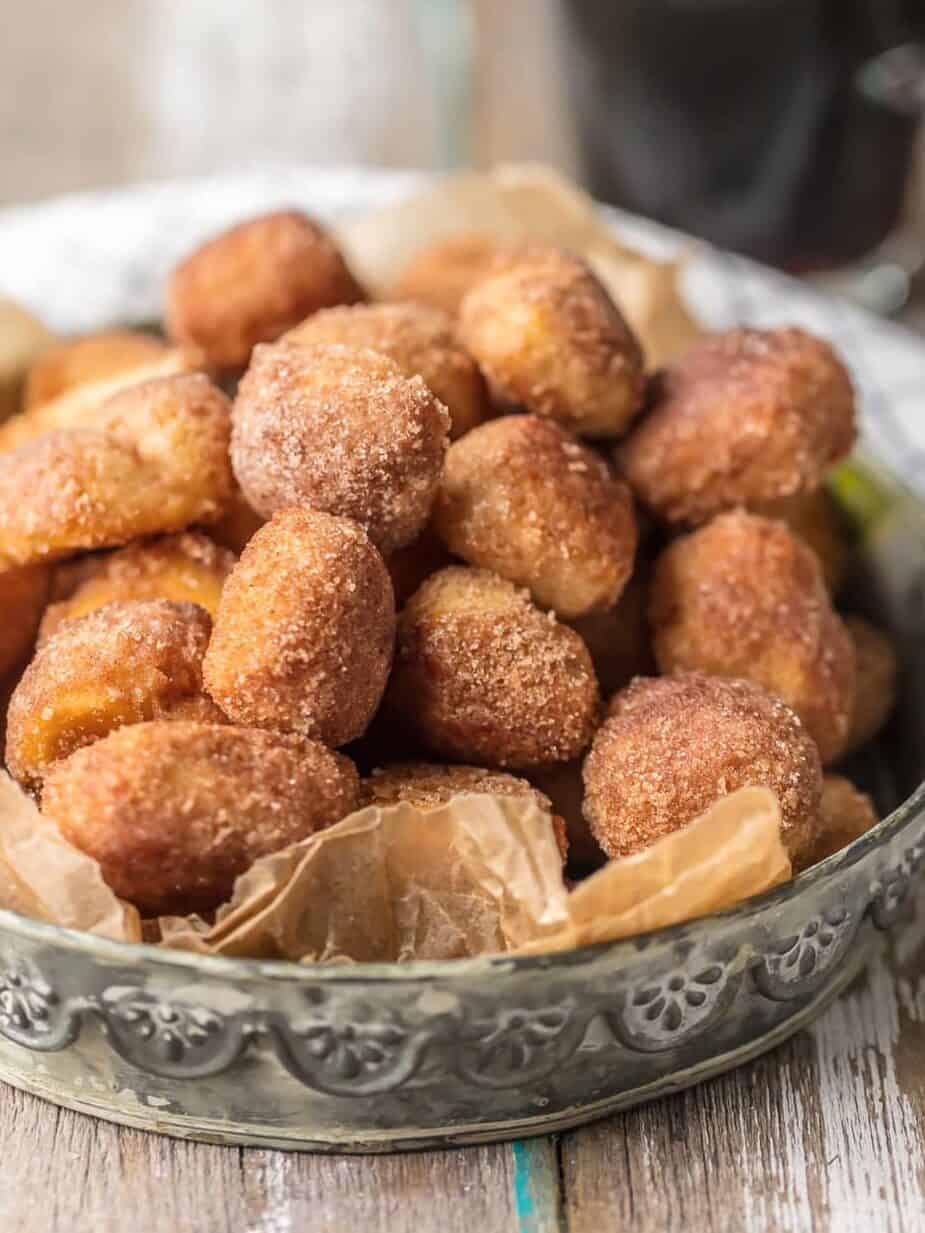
{"points": [[482, 876]]}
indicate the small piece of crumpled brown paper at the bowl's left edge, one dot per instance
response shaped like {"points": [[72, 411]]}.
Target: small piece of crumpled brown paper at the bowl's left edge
{"points": [[44, 877]]}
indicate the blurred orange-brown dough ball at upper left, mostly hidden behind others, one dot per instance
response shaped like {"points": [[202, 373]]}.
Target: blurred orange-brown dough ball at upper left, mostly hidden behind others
{"points": [[87, 361]]}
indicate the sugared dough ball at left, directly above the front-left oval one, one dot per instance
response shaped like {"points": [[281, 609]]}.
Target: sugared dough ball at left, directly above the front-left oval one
{"points": [[123, 664]]}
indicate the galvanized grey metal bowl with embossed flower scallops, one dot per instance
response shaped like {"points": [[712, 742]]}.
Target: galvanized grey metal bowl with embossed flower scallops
{"points": [[384, 1057]]}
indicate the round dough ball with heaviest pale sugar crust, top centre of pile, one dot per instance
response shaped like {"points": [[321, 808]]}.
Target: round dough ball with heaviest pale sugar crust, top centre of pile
{"points": [[343, 431]]}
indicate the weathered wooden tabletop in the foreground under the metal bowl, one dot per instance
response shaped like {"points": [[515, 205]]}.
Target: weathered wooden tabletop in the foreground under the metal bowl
{"points": [[826, 1134]]}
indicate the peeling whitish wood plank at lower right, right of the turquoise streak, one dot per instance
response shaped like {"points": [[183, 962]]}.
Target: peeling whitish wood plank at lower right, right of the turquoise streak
{"points": [[827, 1134]]}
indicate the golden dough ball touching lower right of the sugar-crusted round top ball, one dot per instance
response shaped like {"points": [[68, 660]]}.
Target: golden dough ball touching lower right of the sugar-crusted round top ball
{"points": [[524, 498]]}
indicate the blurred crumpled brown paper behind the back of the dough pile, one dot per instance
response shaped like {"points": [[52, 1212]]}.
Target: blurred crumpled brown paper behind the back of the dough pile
{"points": [[527, 202]]}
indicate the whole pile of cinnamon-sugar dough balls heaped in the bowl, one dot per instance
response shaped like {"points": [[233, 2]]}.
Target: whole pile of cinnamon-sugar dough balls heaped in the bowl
{"points": [[441, 539]]}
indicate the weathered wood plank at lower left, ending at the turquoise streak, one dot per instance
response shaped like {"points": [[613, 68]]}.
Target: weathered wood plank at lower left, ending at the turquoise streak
{"points": [[65, 1173]]}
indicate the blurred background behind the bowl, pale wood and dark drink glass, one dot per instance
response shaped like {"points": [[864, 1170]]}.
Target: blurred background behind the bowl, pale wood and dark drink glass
{"points": [[786, 130]]}
